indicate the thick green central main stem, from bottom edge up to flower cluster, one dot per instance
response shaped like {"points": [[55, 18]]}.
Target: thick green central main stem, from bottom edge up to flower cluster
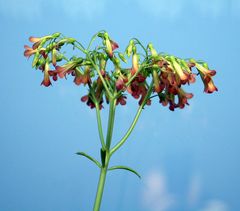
{"points": [[106, 156]]}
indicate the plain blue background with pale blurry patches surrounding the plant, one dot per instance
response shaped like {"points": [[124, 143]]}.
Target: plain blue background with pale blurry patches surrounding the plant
{"points": [[188, 159]]}
